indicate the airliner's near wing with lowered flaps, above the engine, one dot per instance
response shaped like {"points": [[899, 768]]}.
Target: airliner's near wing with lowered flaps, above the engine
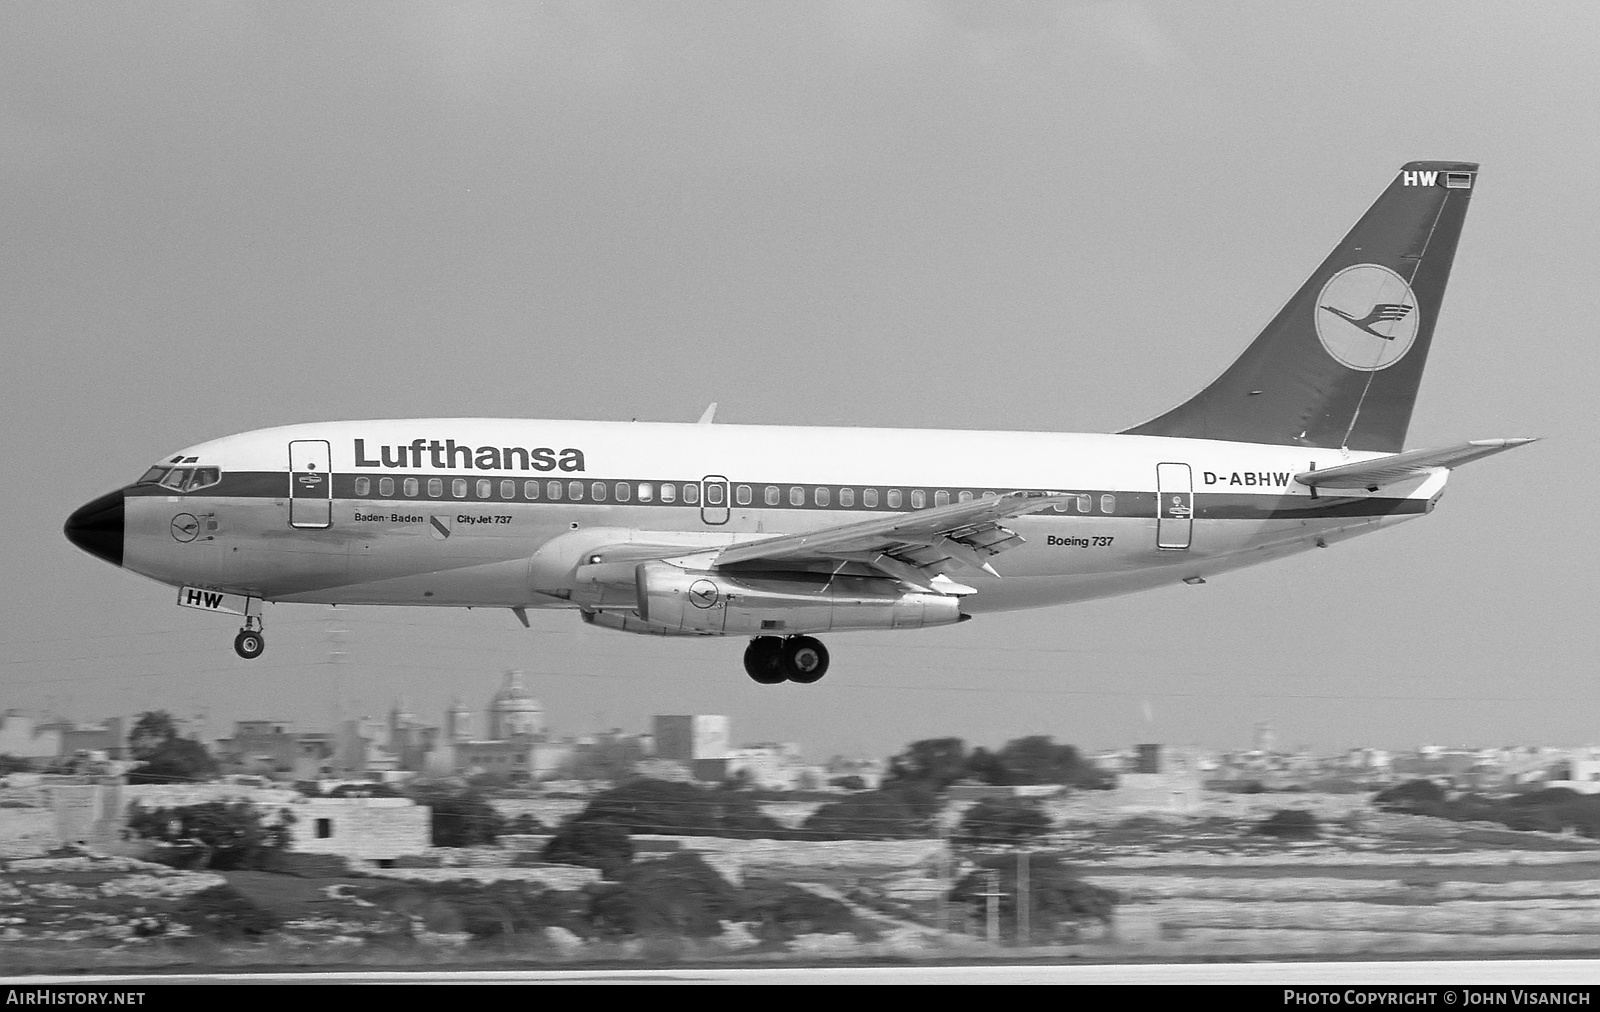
{"points": [[914, 548]]}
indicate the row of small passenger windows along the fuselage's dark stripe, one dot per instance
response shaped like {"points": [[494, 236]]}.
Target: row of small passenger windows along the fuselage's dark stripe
{"points": [[671, 492]]}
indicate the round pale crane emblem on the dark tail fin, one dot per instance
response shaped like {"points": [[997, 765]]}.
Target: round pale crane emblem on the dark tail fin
{"points": [[1367, 318]]}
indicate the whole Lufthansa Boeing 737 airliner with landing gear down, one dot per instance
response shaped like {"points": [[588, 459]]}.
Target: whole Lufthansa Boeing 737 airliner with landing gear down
{"points": [[782, 534]]}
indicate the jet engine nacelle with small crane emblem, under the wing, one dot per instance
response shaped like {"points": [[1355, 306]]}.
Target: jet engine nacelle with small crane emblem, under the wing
{"points": [[698, 601]]}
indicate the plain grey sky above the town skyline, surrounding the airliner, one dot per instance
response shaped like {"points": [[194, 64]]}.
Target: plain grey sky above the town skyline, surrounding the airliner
{"points": [[220, 217]]}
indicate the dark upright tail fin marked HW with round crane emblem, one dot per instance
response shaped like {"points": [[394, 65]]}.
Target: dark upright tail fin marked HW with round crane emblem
{"points": [[1342, 363]]}
